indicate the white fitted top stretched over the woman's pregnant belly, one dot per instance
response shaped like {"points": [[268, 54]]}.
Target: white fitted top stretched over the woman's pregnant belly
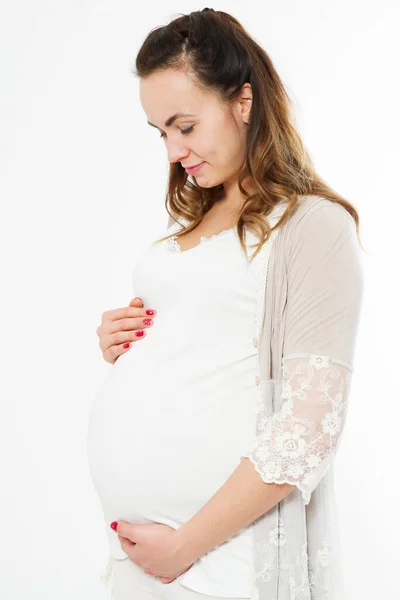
{"points": [[177, 410]]}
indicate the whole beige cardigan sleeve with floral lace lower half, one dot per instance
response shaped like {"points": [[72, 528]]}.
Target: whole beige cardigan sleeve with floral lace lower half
{"points": [[297, 443]]}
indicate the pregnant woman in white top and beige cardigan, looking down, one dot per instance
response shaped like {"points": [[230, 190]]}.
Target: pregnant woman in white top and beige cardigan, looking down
{"points": [[211, 441]]}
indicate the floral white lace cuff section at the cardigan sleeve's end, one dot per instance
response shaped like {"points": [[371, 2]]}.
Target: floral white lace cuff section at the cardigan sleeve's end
{"points": [[297, 444]]}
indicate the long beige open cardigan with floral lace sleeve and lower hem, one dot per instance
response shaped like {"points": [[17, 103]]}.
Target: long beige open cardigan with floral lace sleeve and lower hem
{"points": [[309, 301]]}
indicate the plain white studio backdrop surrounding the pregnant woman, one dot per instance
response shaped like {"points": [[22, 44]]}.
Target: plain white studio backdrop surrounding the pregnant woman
{"points": [[83, 181]]}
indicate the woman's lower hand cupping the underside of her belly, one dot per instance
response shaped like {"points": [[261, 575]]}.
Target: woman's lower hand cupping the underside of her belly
{"points": [[155, 548]]}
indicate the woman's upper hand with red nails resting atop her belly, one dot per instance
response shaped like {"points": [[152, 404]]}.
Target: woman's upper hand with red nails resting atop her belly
{"points": [[120, 327]]}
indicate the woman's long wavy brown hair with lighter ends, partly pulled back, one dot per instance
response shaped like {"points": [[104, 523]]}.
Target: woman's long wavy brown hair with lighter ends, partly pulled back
{"points": [[220, 56]]}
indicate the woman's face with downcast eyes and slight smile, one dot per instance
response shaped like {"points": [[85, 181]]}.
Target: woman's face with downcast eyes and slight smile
{"points": [[215, 132]]}
